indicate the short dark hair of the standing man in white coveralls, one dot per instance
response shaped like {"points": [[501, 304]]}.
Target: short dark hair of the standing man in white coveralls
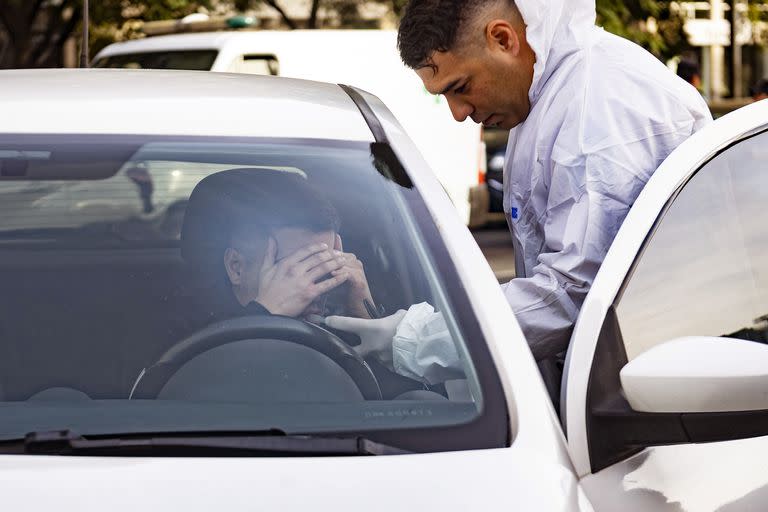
{"points": [[430, 26]]}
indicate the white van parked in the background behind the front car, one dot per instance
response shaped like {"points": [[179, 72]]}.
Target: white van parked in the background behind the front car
{"points": [[367, 59]]}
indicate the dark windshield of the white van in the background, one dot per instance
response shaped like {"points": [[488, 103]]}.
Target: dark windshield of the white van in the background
{"points": [[196, 60]]}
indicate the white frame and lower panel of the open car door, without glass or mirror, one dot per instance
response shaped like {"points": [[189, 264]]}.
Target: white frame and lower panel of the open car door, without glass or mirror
{"points": [[618, 487]]}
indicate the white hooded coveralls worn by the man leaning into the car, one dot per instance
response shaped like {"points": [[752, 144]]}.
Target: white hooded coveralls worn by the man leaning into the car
{"points": [[604, 114]]}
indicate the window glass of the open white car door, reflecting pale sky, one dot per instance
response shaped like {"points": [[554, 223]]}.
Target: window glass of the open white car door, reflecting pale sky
{"points": [[704, 271]]}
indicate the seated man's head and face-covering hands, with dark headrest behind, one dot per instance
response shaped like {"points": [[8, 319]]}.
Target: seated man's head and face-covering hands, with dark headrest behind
{"points": [[265, 242]]}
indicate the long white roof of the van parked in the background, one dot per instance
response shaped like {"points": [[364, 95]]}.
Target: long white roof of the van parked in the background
{"points": [[218, 40]]}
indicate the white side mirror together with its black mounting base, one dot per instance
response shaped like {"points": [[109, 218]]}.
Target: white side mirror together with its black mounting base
{"points": [[687, 390]]}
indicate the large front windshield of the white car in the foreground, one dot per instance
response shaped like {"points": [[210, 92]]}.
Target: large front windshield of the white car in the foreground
{"points": [[151, 284]]}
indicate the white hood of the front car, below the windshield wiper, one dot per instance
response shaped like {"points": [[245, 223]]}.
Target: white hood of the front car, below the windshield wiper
{"points": [[476, 480]]}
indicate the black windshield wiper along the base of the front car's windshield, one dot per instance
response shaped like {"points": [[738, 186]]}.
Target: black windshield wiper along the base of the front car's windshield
{"points": [[268, 443]]}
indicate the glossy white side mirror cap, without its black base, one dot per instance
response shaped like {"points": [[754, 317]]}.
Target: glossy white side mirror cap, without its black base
{"points": [[698, 374]]}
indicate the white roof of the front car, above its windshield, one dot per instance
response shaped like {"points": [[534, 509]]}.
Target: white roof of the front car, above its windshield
{"points": [[121, 101]]}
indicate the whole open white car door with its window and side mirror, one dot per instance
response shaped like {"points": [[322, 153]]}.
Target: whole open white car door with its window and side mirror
{"points": [[690, 260]]}
